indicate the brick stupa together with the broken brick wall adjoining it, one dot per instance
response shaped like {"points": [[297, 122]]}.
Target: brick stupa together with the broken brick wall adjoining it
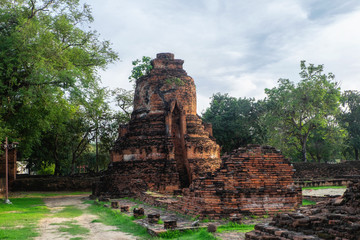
{"points": [[166, 147]]}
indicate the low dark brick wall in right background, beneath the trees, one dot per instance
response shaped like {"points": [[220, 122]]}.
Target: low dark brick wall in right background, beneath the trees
{"points": [[310, 171]]}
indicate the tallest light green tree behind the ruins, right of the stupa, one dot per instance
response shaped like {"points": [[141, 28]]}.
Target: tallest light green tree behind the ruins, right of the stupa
{"points": [[300, 109]]}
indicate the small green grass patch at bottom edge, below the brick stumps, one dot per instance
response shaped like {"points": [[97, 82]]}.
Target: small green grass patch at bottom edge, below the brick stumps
{"points": [[201, 234]]}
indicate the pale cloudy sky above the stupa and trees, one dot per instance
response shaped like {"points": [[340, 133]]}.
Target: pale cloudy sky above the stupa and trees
{"points": [[238, 47]]}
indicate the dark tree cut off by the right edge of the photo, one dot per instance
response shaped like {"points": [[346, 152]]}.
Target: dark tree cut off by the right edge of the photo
{"points": [[350, 119]]}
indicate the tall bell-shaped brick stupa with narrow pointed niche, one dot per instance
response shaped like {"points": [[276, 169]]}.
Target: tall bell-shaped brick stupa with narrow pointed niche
{"points": [[166, 145]]}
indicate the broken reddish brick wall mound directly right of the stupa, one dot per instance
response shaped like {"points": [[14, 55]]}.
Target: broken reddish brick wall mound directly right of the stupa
{"points": [[254, 180]]}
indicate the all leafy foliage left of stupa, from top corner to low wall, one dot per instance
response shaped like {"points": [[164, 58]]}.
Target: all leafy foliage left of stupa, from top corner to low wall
{"points": [[49, 93]]}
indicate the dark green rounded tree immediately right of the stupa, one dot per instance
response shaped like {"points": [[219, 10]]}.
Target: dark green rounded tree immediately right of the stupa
{"points": [[235, 121]]}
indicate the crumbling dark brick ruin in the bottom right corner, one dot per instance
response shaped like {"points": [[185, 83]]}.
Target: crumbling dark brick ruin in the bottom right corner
{"points": [[338, 219]]}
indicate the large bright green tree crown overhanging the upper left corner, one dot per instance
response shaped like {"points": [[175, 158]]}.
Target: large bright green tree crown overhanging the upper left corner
{"points": [[45, 55]]}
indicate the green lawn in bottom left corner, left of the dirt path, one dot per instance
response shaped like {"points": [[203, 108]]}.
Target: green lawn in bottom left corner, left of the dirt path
{"points": [[19, 220]]}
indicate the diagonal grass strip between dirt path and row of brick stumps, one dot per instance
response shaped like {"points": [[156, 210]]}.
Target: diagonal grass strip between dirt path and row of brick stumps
{"points": [[123, 222]]}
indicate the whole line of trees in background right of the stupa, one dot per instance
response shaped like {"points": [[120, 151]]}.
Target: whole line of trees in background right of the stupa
{"points": [[308, 121]]}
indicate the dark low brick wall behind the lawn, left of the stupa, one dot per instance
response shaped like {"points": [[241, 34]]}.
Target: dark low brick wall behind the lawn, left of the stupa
{"points": [[53, 183]]}
